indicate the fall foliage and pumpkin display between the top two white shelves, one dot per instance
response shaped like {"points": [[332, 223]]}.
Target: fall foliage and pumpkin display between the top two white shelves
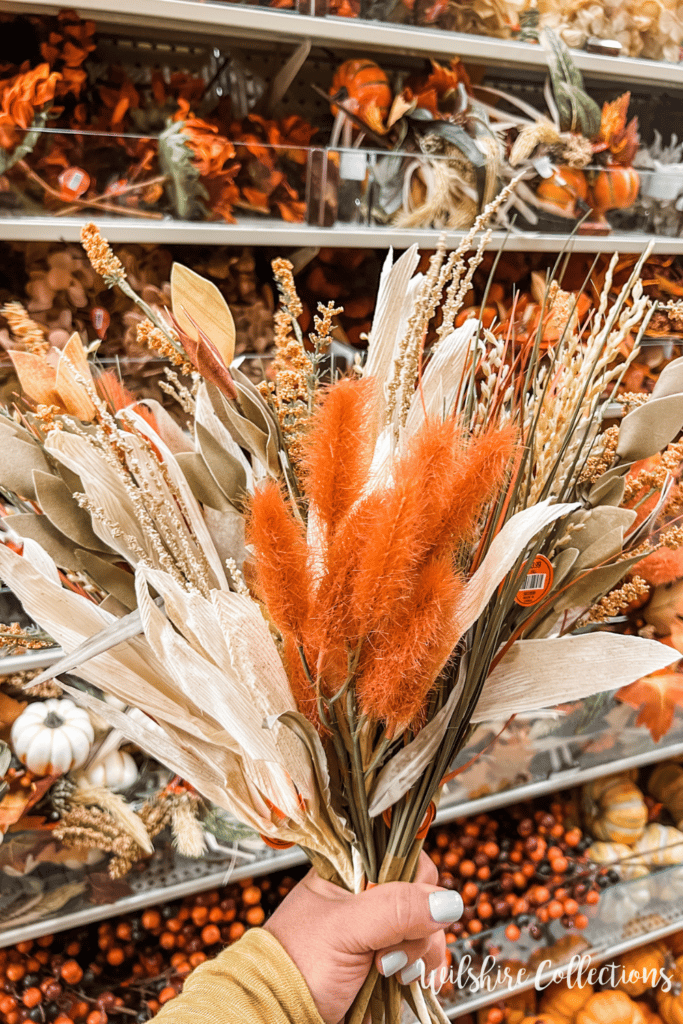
{"points": [[79, 134]]}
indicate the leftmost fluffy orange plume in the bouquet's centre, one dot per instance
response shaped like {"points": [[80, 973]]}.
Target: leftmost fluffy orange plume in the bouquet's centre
{"points": [[282, 565]]}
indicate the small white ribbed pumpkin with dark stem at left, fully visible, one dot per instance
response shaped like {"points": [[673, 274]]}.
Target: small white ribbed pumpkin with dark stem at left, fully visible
{"points": [[53, 737]]}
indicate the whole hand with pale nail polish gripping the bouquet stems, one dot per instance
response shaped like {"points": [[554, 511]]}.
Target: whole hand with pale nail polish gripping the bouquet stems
{"points": [[334, 936]]}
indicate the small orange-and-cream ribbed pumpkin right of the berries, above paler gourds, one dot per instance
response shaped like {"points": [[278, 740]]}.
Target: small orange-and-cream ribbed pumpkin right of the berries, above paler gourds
{"points": [[616, 809]]}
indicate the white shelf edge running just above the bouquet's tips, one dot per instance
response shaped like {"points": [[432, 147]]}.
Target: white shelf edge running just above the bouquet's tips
{"points": [[277, 234]]}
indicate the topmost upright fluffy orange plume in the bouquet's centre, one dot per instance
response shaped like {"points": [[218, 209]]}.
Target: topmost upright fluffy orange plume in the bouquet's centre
{"points": [[338, 450]]}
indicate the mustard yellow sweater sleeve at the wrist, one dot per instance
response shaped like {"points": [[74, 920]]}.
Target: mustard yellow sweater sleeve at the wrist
{"points": [[252, 980]]}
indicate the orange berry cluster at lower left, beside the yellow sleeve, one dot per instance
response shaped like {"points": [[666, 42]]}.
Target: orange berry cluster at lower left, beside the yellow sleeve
{"points": [[125, 969]]}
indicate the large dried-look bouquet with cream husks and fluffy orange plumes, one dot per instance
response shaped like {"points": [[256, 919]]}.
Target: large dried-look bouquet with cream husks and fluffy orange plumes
{"points": [[309, 598]]}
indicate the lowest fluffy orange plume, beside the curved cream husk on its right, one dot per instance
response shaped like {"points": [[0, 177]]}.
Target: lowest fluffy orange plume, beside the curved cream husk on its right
{"points": [[400, 668]]}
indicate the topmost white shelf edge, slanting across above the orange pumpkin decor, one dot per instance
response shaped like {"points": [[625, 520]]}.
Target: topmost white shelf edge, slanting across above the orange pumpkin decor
{"points": [[222, 20]]}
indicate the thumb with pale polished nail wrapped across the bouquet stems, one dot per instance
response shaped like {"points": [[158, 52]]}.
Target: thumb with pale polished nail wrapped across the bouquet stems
{"points": [[395, 912]]}
